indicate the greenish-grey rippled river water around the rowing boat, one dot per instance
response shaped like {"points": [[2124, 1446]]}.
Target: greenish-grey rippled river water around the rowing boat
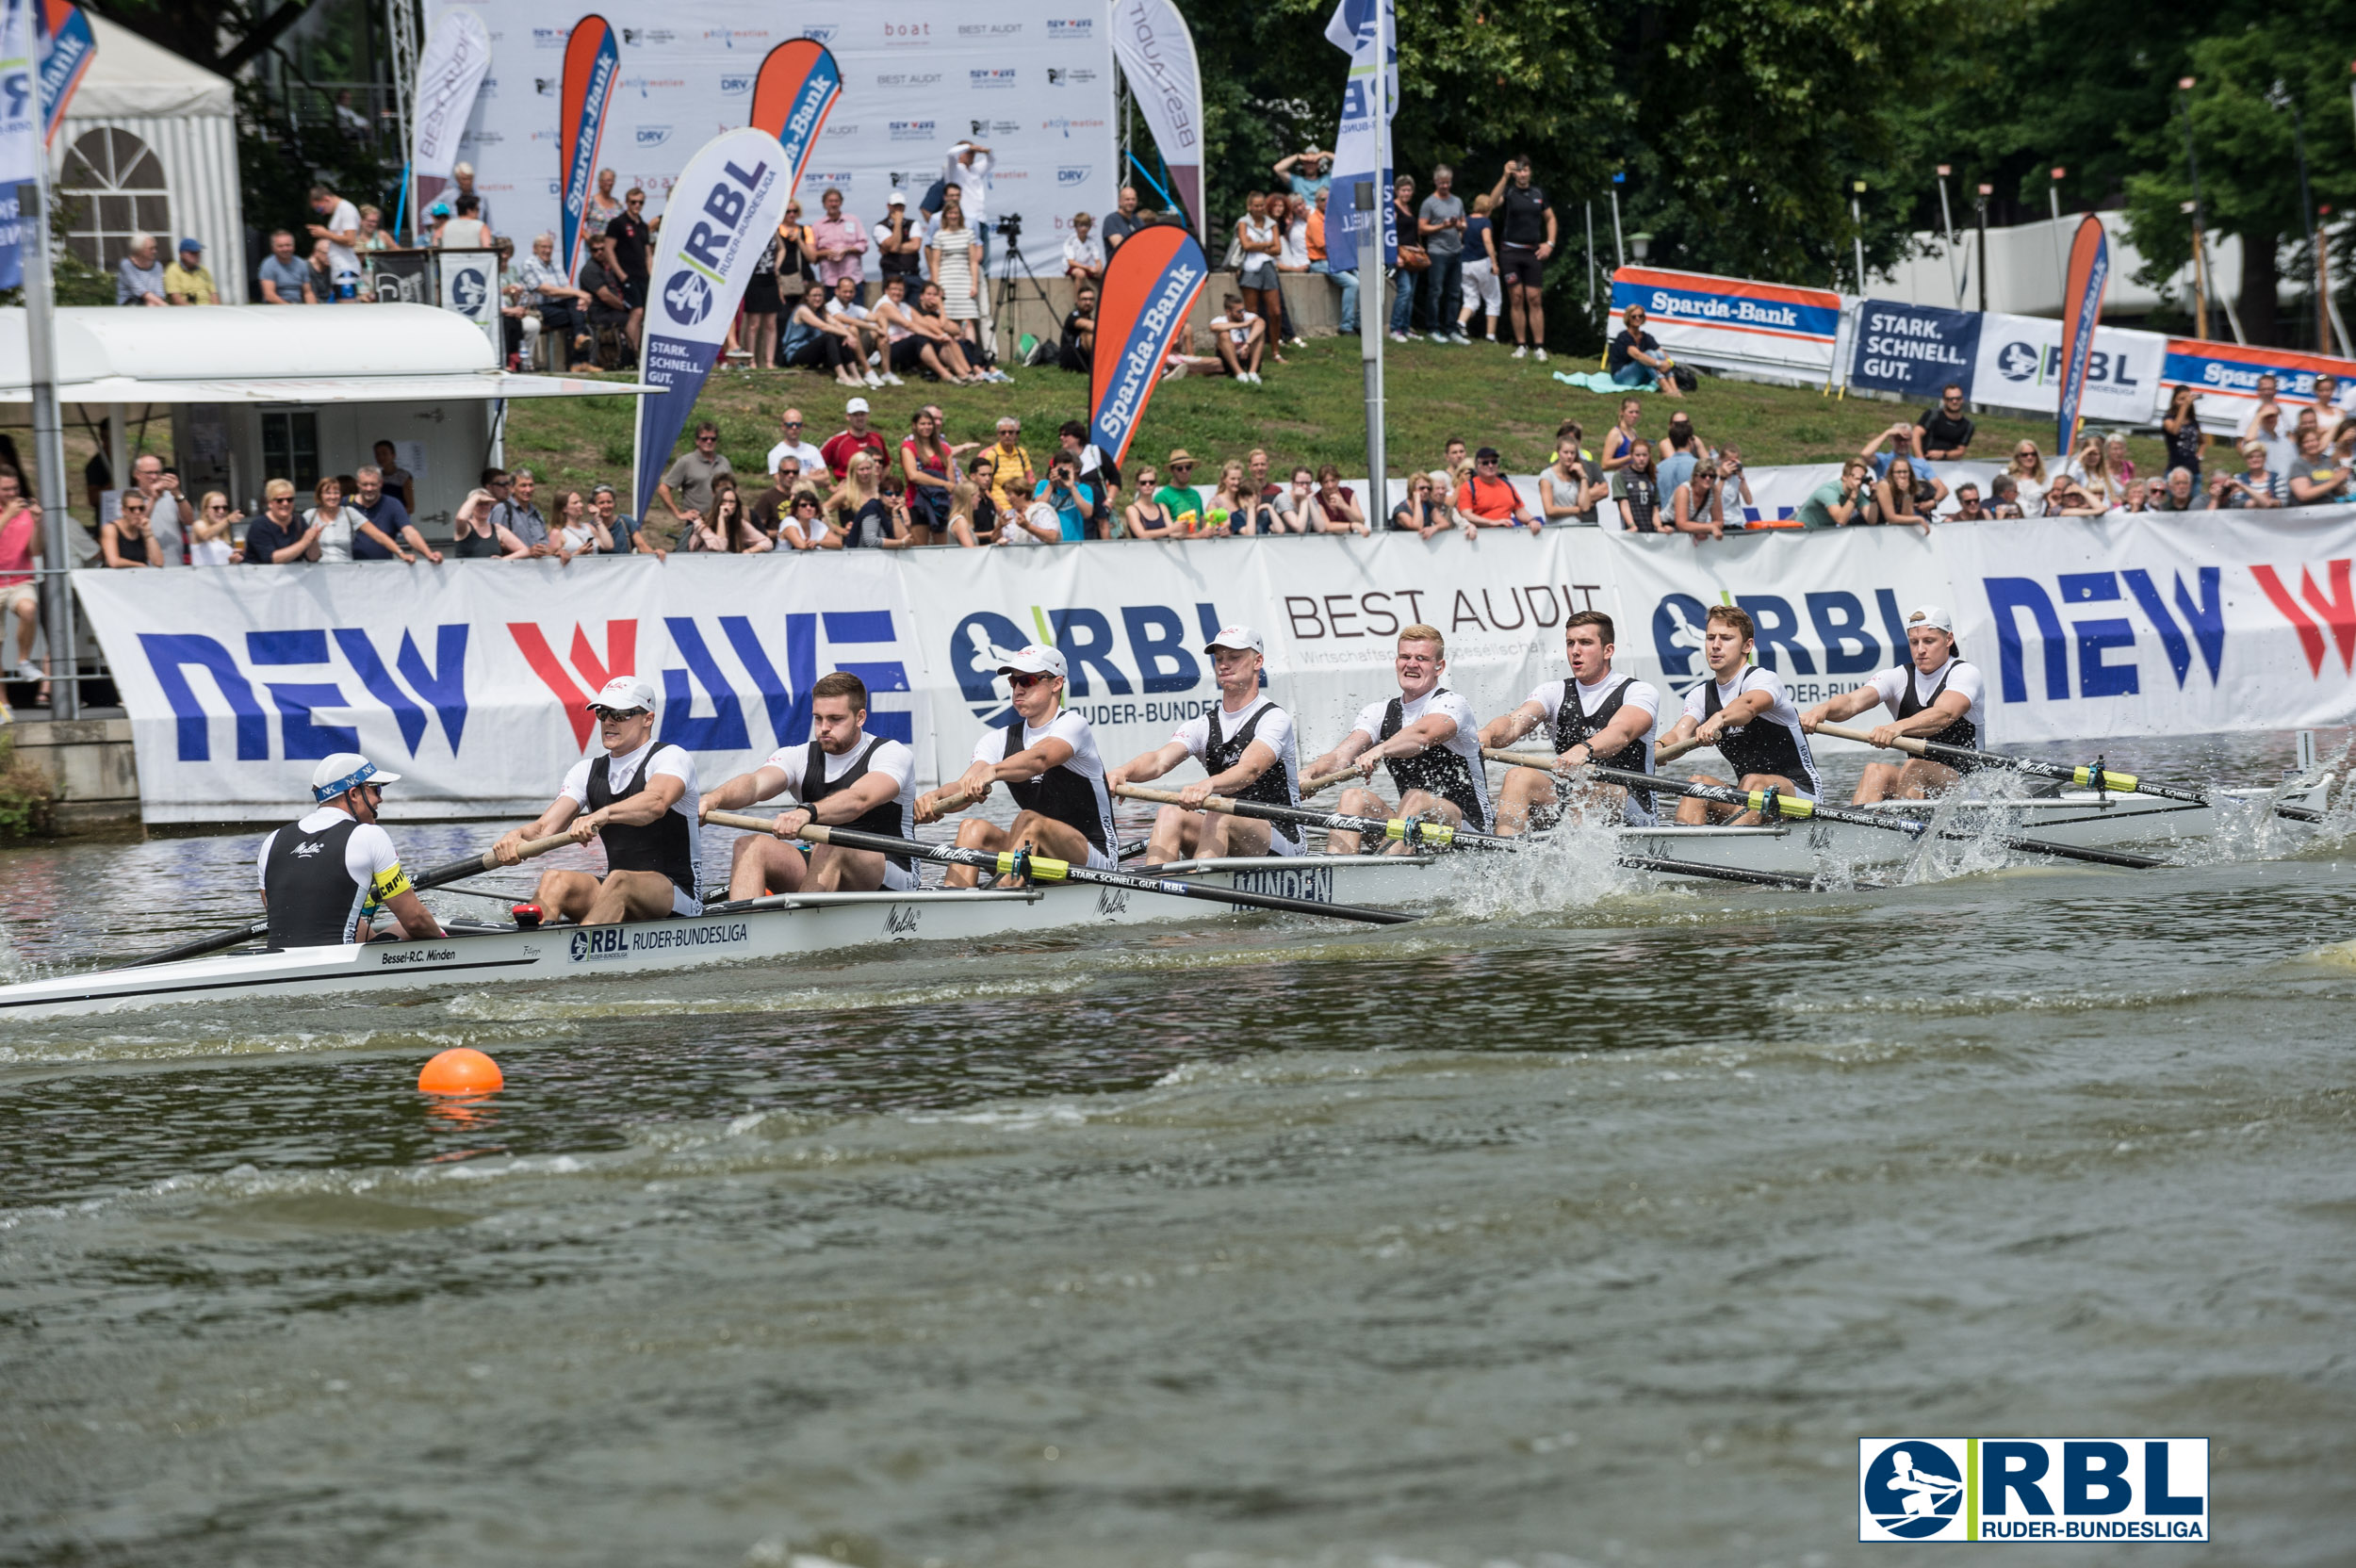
{"points": [[1584, 1230]]}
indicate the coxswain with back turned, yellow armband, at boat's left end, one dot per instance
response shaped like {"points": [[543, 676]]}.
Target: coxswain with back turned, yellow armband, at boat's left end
{"points": [[326, 875]]}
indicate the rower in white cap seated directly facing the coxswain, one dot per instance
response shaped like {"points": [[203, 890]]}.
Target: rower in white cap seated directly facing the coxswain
{"points": [[642, 802]]}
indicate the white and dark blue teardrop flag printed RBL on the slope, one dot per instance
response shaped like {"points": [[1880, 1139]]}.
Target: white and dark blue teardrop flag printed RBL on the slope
{"points": [[724, 213]]}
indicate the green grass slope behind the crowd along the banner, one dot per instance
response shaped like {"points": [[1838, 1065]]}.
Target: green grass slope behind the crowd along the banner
{"points": [[1311, 411]]}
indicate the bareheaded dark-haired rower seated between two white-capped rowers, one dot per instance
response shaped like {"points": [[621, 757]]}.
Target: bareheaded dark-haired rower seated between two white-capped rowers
{"points": [[845, 778]]}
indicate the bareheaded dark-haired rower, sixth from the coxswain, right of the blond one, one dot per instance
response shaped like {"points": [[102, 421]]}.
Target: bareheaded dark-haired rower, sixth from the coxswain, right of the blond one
{"points": [[1594, 717]]}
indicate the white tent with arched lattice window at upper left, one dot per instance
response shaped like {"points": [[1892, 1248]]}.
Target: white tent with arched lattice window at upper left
{"points": [[152, 142]]}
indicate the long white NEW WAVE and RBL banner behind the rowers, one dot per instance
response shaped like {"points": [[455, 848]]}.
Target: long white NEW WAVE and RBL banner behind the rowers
{"points": [[470, 679]]}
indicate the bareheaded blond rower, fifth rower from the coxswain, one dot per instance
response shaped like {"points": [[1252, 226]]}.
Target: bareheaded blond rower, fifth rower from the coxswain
{"points": [[1427, 738]]}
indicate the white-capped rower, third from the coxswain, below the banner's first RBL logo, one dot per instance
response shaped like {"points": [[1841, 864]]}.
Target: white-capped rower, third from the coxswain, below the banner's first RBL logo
{"points": [[1050, 764]]}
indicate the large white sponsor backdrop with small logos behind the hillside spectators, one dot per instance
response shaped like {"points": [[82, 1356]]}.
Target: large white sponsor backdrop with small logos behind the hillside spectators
{"points": [[1031, 79]]}
